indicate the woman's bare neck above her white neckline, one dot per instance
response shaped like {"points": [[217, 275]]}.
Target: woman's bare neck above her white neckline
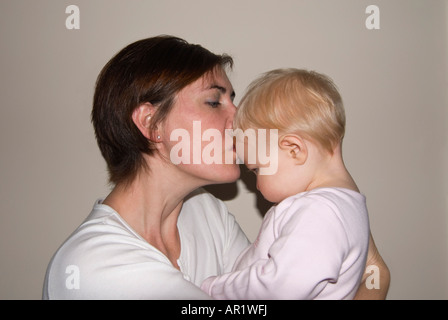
{"points": [[151, 205]]}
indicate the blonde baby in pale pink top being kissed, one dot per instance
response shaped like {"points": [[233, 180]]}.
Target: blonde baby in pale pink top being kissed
{"points": [[313, 243]]}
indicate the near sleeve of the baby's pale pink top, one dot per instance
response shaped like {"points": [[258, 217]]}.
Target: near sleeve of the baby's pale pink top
{"points": [[305, 256]]}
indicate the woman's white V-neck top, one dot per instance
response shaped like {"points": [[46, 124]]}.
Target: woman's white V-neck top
{"points": [[106, 259]]}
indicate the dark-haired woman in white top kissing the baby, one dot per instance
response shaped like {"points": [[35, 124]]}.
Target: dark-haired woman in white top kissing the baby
{"points": [[156, 235]]}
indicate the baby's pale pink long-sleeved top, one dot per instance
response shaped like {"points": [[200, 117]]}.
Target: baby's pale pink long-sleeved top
{"points": [[311, 246]]}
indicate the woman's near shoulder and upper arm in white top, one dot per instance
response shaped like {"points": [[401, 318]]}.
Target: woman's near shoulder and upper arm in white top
{"points": [[104, 253]]}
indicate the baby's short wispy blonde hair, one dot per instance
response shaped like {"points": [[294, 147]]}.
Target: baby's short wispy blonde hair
{"points": [[294, 101]]}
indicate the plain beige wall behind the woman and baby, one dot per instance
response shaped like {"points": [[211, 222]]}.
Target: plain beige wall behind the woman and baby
{"points": [[393, 81]]}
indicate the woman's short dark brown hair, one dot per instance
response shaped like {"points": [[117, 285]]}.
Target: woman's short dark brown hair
{"points": [[151, 70]]}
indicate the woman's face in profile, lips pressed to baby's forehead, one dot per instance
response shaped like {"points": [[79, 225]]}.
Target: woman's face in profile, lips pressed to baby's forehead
{"points": [[196, 135]]}
